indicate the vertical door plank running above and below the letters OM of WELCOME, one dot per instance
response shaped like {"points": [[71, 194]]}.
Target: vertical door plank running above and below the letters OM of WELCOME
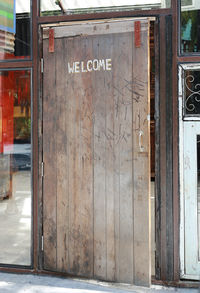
{"points": [[99, 166]]}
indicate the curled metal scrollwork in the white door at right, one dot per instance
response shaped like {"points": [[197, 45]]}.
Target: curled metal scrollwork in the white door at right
{"points": [[192, 95]]}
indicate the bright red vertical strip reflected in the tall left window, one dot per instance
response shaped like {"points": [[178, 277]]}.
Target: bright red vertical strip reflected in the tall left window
{"points": [[7, 109]]}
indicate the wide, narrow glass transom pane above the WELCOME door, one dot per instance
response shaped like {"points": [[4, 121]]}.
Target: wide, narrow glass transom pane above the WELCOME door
{"points": [[57, 7]]}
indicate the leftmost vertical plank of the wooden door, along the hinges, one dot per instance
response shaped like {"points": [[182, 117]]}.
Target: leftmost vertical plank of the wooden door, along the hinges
{"points": [[50, 148]]}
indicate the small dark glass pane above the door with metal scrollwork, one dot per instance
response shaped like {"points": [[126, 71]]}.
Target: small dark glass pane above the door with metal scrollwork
{"points": [[190, 26]]}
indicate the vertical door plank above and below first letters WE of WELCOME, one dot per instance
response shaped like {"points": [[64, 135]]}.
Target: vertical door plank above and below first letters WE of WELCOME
{"points": [[75, 233]]}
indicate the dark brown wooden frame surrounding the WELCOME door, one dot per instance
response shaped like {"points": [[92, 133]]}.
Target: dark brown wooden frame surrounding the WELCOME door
{"points": [[167, 256]]}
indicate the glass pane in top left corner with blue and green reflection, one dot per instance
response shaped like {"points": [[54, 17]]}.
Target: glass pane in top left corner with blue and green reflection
{"points": [[15, 29]]}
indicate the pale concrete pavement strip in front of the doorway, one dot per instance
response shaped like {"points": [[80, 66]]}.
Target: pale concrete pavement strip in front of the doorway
{"points": [[18, 283]]}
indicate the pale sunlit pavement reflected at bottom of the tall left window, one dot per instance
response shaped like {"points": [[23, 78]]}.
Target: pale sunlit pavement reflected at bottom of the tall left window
{"points": [[15, 219]]}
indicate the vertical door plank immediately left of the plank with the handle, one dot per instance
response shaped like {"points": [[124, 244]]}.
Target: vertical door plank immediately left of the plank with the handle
{"points": [[123, 143]]}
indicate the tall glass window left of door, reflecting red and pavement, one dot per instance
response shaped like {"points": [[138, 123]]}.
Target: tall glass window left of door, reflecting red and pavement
{"points": [[15, 167]]}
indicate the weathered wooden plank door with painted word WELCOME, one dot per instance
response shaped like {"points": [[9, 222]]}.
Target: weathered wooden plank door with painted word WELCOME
{"points": [[96, 150]]}
